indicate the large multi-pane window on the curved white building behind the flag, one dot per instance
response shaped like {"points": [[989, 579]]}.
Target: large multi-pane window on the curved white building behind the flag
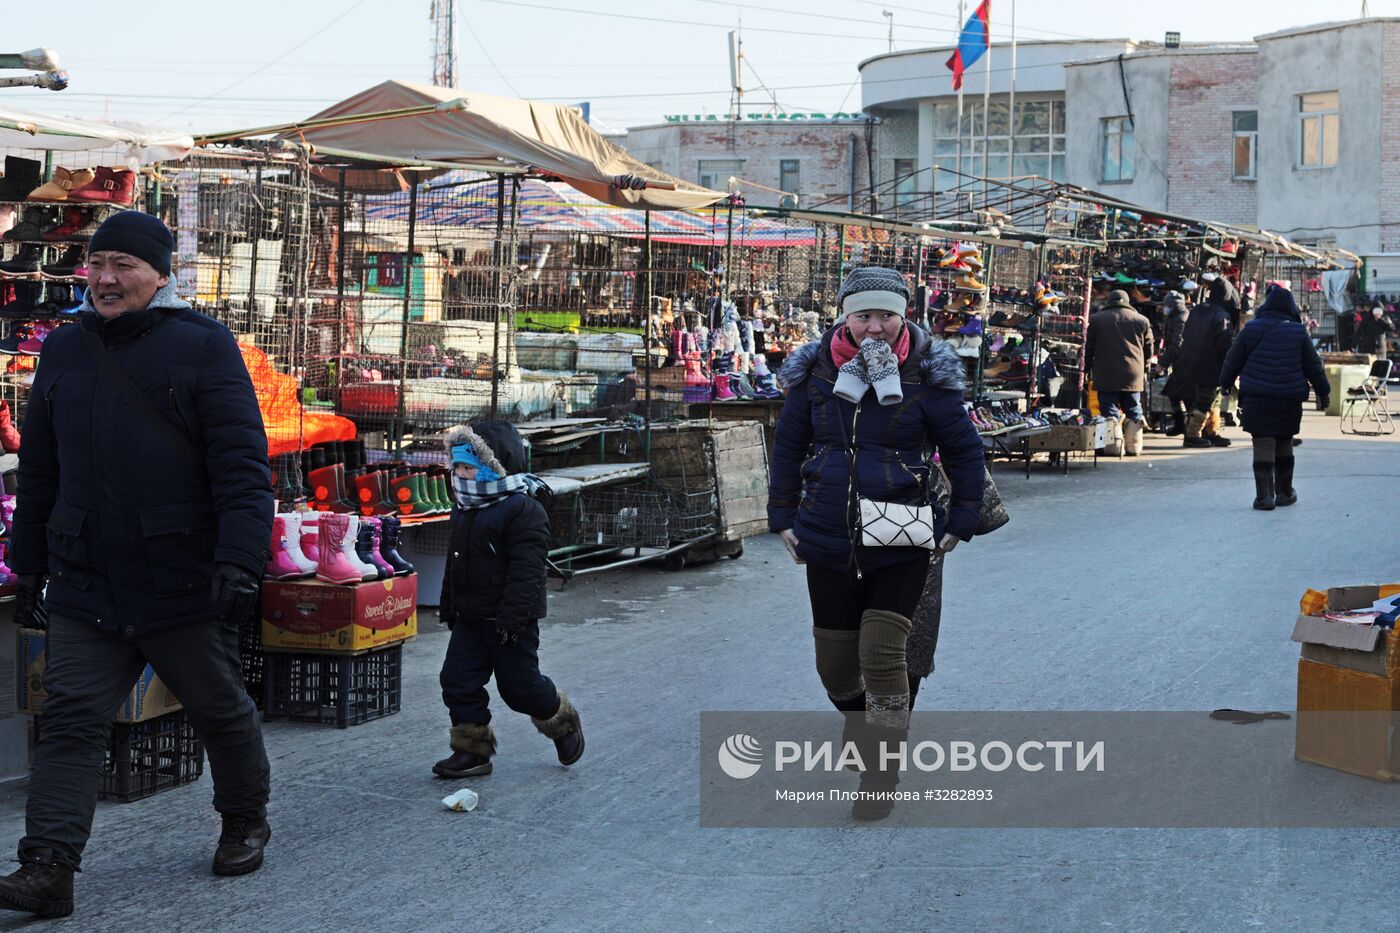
{"points": [[999, 148]]}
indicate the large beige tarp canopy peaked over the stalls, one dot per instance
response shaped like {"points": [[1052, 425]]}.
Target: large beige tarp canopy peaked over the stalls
{"points": [[548, 138]]}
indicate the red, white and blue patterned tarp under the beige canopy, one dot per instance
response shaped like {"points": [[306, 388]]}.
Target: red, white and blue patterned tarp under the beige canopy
{"points": [[554, 207]]}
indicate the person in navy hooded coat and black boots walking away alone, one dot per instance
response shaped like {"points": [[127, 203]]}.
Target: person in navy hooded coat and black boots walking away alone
{"points": [[1275, 362]]}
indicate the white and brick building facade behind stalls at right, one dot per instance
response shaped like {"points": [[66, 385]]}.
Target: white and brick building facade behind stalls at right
{"points": [[1297, 132]]}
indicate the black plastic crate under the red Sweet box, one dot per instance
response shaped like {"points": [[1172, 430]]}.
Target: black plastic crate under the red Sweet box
{"points": [[337, 690]]}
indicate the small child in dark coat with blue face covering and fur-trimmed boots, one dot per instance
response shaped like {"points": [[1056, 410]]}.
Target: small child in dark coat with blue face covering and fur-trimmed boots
{"points": [[493, 599]]}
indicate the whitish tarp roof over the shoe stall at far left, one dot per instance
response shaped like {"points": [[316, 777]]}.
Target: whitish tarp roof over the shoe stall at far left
{"points": [[108, 145]]}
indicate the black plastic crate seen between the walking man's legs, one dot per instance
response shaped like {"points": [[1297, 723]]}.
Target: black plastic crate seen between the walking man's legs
{"points": [[146, 759]]}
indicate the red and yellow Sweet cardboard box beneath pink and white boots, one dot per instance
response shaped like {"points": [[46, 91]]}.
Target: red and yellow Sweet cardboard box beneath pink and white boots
{"points": [[310, 616]]}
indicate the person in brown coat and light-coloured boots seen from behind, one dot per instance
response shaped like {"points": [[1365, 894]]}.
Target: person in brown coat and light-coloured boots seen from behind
{"points": [[1118, 351]]}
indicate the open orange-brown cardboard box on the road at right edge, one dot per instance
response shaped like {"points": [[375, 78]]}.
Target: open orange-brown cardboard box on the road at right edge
{"points": [[1349, 687]]}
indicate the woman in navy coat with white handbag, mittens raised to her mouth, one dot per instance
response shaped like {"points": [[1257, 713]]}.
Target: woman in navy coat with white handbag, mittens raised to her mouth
{"points": [[866, 407]]}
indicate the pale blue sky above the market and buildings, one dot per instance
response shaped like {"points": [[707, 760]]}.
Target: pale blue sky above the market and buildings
{"points": [[262, 62]]}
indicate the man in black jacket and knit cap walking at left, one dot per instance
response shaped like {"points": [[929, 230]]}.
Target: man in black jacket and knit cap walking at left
{"points": [[146, 499]]}
